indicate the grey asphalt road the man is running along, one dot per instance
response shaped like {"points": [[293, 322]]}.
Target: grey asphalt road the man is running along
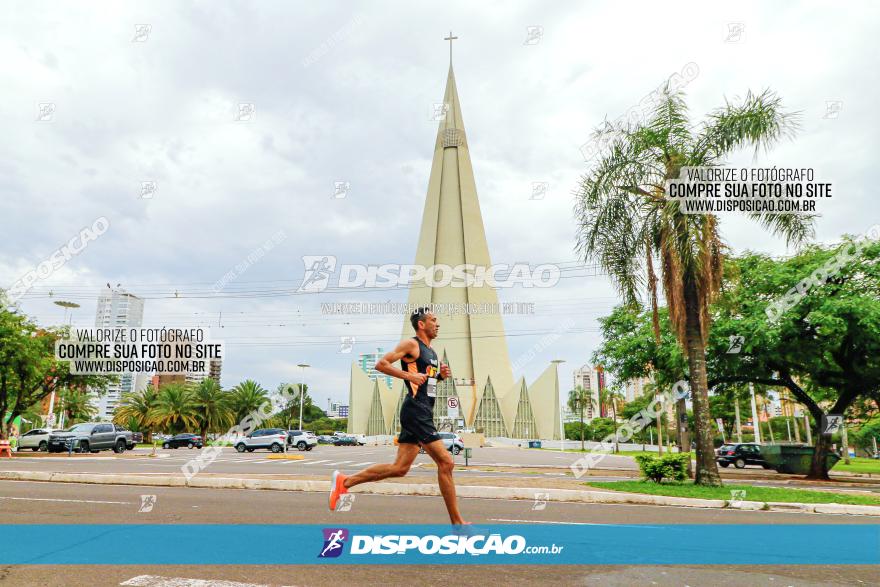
{"points": [[29, 502]]}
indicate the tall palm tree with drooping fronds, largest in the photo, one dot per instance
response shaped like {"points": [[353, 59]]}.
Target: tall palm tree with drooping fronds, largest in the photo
{"points": [[626, 219]]}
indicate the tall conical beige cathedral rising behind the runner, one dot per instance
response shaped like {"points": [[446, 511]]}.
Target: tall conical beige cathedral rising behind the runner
{"points": [[487, 396]]}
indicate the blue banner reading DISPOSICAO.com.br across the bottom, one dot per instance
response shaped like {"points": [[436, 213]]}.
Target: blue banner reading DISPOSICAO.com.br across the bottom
{"points": [[514, 544]]}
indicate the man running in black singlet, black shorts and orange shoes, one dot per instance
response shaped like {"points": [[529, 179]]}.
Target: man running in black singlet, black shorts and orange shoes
{"points": [[420, 369]]}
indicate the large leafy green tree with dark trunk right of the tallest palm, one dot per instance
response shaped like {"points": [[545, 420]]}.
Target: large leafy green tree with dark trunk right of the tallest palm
{"points": [[824, 349]]}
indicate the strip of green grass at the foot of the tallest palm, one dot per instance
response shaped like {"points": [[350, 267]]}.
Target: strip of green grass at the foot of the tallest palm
{"points": [[753, 493]]}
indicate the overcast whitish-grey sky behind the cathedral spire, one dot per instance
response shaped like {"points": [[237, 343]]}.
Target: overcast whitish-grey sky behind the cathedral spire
{"points": [[101, 97]]}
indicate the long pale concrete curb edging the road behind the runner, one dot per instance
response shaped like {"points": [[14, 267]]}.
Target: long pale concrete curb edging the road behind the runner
{"points": [[425, 489]]}
